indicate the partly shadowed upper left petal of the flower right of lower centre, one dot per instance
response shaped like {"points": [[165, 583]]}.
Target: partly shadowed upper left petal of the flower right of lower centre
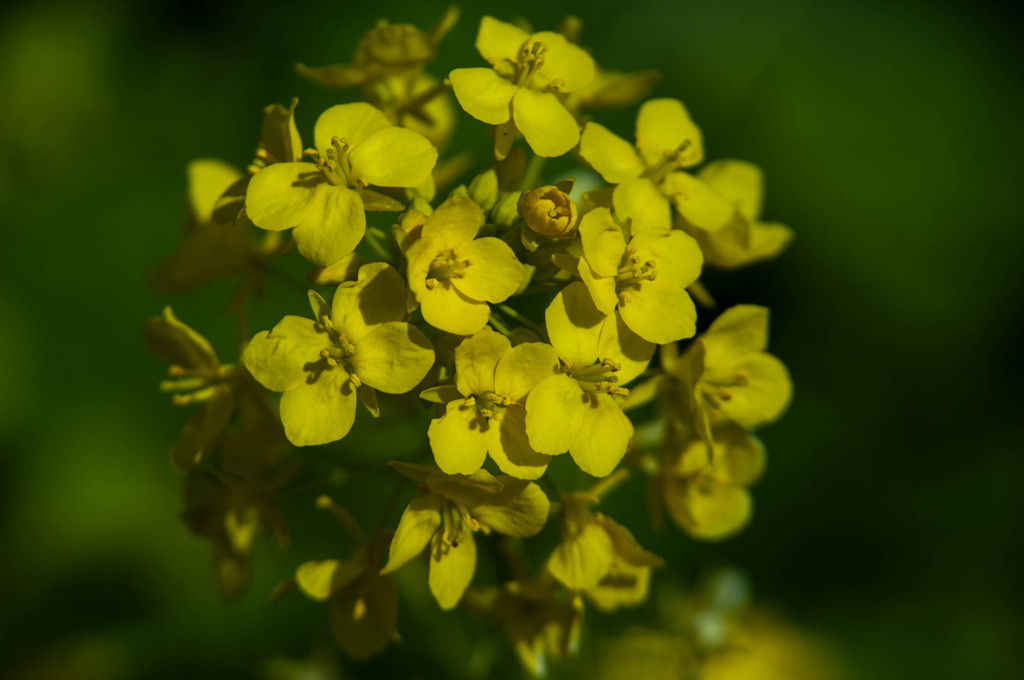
{"points": [[575, 325]]}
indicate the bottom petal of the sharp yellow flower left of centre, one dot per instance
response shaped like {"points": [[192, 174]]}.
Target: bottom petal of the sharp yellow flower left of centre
{"points": [[319, 412]]}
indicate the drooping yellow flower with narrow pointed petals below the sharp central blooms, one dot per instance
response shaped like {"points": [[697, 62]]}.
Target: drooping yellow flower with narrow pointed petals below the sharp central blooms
{"points": [[446, 520]]}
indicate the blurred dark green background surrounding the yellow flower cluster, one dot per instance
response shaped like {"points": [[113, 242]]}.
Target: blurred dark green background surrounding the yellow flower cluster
{"points": [[890, 521]]}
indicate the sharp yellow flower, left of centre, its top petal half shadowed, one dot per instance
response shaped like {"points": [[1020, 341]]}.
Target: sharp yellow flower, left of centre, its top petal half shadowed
{"points": [[358, 345]]}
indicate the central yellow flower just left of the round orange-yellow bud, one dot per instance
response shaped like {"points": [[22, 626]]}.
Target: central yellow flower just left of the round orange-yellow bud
{"points": [[454, 275]]}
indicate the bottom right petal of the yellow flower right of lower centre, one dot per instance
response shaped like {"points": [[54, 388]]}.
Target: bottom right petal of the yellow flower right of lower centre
{"points": [[605, 437]]}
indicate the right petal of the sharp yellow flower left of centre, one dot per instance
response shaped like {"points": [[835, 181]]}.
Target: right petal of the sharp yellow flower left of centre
{"points": [[394, 359]]}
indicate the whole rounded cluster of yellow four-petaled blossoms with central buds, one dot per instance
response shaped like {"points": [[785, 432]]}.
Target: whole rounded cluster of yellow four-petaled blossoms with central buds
{"points": [[534, 320]]}
